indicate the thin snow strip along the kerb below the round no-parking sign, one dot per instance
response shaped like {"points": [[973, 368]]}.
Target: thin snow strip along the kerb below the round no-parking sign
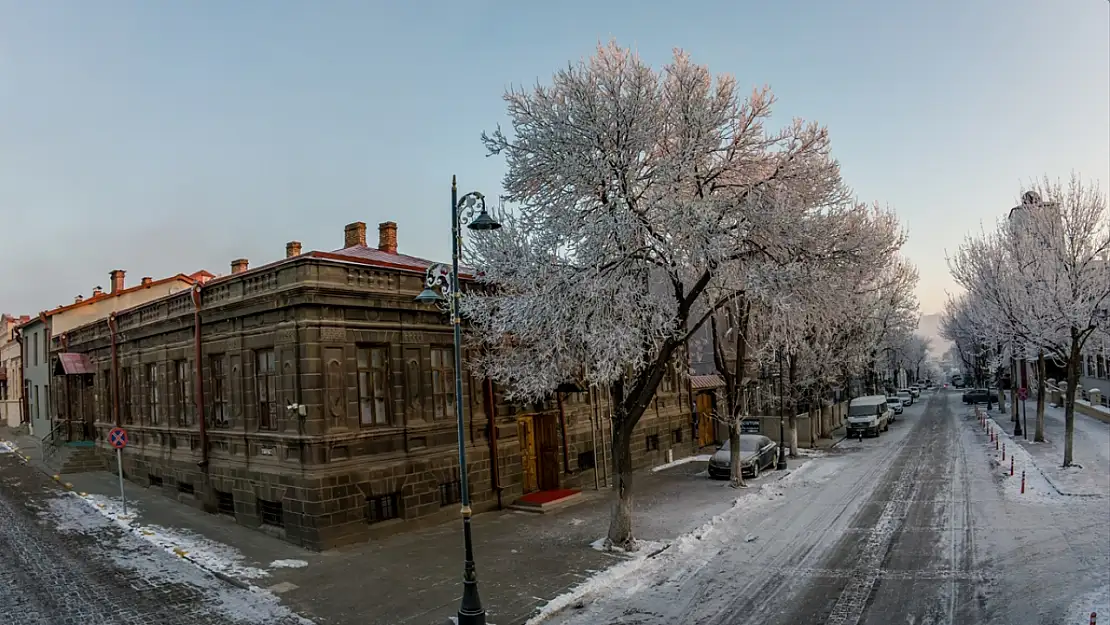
{"points": [[205, 552]]}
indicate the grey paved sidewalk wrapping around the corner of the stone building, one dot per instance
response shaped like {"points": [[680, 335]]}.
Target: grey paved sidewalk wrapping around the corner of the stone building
{"points": [[415, 579]]}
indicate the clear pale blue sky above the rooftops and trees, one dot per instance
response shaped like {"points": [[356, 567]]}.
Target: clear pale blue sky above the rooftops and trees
{"points": [[169, 137]]}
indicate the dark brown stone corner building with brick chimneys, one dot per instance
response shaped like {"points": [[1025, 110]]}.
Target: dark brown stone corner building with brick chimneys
{"points": [[328, 401]]}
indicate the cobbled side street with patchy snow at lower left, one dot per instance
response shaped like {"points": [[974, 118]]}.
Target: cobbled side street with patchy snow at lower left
{"points": [[63, 563]]}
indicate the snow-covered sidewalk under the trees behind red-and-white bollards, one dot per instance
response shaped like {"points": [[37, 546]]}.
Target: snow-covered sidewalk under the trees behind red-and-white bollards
{"points": [[1091, 478]]}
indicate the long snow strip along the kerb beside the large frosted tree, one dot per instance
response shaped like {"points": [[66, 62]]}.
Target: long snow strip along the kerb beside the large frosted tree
{"points": [[625, 576]]}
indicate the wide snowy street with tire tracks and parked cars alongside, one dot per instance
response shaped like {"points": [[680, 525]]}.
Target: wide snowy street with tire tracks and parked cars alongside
{"points": [[916, 528]]}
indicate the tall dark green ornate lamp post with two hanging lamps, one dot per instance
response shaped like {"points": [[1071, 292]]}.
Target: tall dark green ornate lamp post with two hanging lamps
{"points": [[439, 279]]}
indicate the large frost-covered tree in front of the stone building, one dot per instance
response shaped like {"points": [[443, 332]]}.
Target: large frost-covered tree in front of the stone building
{"points": [[643, 201]]}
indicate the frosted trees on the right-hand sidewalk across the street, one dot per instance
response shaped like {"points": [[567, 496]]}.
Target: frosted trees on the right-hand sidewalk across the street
{"points": [[1037, 287]]}
